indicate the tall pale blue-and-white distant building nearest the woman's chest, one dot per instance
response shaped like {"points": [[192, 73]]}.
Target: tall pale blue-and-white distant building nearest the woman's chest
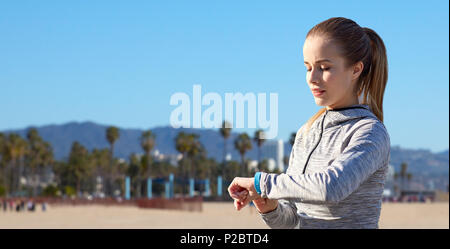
{"points": [[273, 149]]}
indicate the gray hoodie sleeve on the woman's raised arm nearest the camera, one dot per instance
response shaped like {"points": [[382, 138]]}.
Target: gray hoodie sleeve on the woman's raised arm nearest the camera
{"points": [[367, 150]]}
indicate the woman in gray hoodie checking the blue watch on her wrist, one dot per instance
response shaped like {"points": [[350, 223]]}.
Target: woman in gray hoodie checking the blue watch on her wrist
{"points": [[340, 157]]}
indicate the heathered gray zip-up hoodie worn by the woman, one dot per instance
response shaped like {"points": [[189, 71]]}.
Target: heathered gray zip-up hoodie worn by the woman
{"points": [[336, 173]]}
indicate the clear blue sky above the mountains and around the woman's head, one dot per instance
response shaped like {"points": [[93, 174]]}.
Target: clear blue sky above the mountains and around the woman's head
{"points": [[118, 62]]}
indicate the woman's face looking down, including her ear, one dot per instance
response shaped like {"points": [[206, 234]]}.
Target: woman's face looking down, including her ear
{"points": [[326, 73]]}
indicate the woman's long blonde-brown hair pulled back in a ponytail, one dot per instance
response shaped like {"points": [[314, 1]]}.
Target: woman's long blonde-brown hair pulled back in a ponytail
{"points": [[358, 44]]}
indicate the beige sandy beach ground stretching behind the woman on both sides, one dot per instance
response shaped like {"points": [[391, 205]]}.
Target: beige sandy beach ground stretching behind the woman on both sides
{"points": [[214, 215]]}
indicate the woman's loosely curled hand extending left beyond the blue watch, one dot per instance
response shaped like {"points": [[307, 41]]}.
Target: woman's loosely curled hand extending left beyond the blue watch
{"points": [[242, 190]]}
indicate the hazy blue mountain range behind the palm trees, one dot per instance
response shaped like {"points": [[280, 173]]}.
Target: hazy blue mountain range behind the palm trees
{"points": [[92, 135]]}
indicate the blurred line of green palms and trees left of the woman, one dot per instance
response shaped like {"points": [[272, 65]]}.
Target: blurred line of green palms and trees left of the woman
{"points": [[26, 162]]}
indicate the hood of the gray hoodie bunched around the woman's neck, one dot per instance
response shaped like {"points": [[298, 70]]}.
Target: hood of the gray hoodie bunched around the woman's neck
{"points": [[341, 115]]}
